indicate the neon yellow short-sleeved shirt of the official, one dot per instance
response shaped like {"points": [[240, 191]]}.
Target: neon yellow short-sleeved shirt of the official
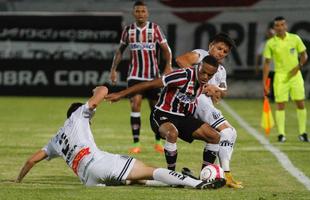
{"points": [[284, 52]]}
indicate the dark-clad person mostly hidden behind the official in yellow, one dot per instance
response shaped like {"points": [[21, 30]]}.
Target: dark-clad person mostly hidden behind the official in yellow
{"points": [[259, 60]]}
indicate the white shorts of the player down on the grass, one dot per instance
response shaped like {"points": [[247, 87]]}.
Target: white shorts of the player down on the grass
{"points": [[109, 169]]}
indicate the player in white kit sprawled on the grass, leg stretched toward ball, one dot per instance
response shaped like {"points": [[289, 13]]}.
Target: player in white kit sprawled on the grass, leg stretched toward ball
{"points": [[74, 142]]}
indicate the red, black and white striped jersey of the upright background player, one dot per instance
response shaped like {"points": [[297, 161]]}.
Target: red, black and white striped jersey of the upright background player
{"points": [[142, 44]]}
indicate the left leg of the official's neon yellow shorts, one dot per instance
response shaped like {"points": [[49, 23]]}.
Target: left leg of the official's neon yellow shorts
{"points": [[281, 88]]}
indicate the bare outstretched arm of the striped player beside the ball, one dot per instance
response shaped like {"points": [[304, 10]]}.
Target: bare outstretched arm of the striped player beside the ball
{"points": [[156, 83]]}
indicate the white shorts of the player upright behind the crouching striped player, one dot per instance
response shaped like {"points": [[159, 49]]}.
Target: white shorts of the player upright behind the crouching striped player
{"points": [[206, 112]]}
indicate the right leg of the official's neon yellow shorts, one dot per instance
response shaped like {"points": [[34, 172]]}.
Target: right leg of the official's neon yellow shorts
{"points": [[297, 87]]}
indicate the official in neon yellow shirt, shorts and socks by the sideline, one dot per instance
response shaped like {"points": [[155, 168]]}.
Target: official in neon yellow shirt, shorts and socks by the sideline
{"points": [[289, 56]]}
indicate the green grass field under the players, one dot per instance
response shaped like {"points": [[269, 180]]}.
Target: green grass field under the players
{"points": [[27, 123]]}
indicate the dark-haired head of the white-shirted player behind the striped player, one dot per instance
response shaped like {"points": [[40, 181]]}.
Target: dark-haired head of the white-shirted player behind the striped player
{"points": [[220, 46]]}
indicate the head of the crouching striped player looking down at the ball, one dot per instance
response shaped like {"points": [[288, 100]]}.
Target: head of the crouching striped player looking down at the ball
{"points": [[207, 68]]}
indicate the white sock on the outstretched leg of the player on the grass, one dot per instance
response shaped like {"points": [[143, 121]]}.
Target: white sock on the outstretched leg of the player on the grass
{"points": [[174, 178]]}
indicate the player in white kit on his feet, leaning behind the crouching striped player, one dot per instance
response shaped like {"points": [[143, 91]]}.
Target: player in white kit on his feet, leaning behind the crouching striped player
{"points": [[219, 47]]}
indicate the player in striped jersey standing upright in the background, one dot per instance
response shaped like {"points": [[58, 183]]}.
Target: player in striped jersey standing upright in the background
{"points": [[142, 37]]}
